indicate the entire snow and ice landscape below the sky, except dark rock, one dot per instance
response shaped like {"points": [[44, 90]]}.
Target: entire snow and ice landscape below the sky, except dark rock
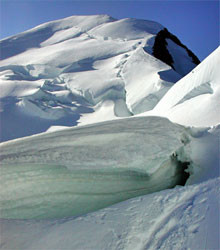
{"points": [[138, 167]]}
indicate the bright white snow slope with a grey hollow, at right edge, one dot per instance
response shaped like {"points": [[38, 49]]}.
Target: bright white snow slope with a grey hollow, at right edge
{"points": [[194, 100]]}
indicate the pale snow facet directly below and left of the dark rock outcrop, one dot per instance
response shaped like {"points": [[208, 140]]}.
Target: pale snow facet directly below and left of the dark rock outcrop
{"points": [[160, 78]]}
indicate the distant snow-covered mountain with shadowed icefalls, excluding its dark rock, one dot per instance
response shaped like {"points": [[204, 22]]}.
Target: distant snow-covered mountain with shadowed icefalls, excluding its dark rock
{"points": [[81, 70]]}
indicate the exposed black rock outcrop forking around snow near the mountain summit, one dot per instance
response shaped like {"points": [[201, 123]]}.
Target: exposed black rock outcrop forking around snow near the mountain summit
{"points": [[161, 52]]}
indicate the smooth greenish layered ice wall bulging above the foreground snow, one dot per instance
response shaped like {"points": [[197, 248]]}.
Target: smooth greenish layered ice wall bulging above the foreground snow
{"points": [[79, 170]]}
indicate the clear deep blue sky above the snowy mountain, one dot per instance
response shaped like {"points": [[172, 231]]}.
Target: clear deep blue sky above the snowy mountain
{"points": [[195, 23]]}
